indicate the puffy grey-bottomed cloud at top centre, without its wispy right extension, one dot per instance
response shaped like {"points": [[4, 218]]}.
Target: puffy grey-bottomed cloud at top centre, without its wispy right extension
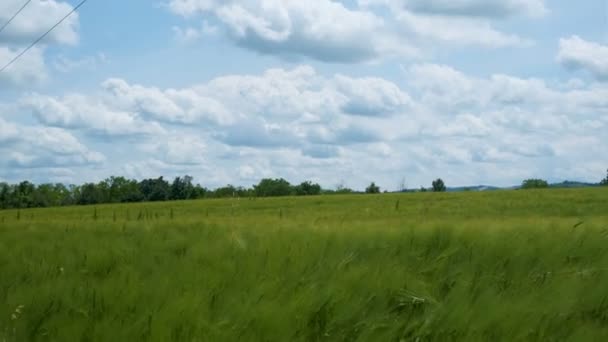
{"points": [[320, 29]]}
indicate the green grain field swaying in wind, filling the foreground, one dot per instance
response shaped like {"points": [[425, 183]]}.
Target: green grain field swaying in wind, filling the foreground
{"points": [[508, 265]]}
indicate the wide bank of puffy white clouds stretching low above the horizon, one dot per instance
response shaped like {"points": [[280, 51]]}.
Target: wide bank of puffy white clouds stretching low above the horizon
{"points": [[298, 123]]}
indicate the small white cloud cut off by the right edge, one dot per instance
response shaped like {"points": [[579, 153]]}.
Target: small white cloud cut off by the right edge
{"points": [[576, 53]]}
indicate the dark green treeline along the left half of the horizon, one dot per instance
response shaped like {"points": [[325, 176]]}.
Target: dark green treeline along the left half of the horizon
{"points": [[123, 190]]}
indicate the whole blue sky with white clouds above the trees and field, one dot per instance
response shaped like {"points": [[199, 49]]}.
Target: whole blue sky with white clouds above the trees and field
{"points": [[337, 92]]}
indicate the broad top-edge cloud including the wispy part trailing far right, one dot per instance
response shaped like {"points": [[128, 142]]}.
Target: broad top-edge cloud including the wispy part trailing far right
{"points": [[332, 31]]}
